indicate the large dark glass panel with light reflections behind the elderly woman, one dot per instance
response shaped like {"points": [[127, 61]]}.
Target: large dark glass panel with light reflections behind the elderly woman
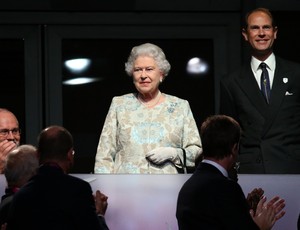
{"points": [[85, 106]]}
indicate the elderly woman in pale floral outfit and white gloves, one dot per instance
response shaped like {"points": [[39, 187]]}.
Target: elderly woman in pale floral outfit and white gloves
{"points": [[147, 132]]}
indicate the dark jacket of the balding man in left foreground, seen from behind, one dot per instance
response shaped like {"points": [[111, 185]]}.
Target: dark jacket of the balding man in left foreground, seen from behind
{"points": [[52, 200]]}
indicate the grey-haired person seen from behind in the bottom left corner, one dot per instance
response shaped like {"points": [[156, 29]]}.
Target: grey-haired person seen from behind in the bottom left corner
{"points": [[21, 164]]}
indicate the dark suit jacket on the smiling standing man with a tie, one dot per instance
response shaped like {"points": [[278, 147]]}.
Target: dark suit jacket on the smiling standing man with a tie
{"points": [[270, 140]]}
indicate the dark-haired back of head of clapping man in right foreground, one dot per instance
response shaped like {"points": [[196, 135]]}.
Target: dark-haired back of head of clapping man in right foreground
{"points": [[218, 135]]}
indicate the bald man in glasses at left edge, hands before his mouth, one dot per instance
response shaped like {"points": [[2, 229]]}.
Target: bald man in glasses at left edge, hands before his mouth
{"points": [[9, 134]]}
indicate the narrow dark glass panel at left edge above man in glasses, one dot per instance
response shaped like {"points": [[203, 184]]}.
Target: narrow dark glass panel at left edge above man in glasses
{"points": [[12, 87]]}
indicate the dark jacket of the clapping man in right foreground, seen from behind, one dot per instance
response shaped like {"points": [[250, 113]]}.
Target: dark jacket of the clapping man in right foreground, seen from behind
{"points": [[210, 201]]}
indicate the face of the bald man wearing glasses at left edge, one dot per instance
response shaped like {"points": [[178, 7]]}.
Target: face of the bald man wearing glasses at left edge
{"points": [[9, 127]]}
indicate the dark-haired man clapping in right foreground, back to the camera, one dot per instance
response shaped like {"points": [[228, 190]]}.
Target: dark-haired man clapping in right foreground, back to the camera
{"points": [[209, 199]]}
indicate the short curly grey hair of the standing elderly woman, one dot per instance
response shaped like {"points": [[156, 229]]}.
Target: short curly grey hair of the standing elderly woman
{"points": [[149, 50]]}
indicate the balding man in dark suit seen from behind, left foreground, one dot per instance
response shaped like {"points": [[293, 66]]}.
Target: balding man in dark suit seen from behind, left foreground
{"points": [[52, 199]]}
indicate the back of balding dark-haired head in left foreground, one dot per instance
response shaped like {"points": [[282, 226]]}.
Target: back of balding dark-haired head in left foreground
{"points": [[54, 143]]}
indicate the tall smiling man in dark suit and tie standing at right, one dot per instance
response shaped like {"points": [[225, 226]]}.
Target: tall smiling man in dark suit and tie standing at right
{"points": [[271, 126]]}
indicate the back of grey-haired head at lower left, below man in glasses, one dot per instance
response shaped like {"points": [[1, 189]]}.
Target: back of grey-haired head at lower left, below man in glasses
{"points": [[21, 165]]}
